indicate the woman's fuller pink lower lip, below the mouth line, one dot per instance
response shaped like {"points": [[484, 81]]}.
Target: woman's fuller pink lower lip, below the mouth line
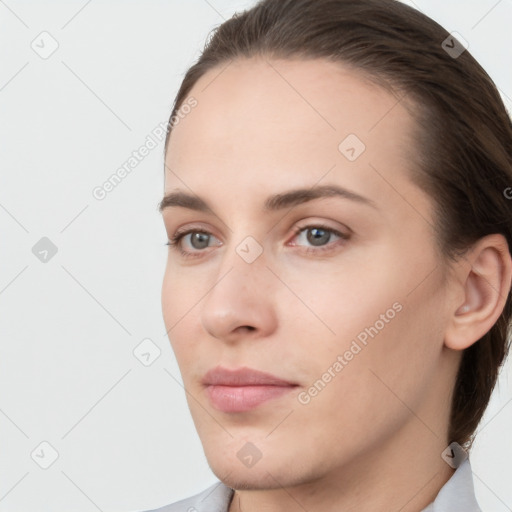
{"points": [[243, 398]]}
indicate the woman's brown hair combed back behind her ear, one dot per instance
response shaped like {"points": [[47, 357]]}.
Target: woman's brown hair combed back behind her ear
{"points": [[464, 137]]}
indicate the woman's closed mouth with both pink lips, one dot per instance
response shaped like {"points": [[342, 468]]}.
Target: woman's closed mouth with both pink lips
{"points": [[243, 389]]}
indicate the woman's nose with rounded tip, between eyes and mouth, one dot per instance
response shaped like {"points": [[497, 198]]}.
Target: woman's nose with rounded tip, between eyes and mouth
{"points": [[240, 302]]}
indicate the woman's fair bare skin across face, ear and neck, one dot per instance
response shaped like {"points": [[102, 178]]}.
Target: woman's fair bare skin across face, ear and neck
{"points": [[372, 438]]}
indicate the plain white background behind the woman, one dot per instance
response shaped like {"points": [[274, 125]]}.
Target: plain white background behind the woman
{"points": [[68, 376]]}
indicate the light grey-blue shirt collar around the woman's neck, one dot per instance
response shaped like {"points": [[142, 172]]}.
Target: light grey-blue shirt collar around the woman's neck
{"points": [[456, 495]]}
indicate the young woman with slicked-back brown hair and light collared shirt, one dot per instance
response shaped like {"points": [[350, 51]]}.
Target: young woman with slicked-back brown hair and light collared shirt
{"points": [[337, 292]]}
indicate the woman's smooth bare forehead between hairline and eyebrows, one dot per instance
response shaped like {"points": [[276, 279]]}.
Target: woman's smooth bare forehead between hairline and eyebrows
{"points": [[267, 124]]}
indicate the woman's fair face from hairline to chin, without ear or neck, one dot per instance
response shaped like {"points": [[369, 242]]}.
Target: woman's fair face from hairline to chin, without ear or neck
{"points": [[336, 290]]}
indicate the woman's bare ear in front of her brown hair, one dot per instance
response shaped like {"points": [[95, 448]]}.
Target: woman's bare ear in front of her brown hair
{"points": [[484, 279]]}
